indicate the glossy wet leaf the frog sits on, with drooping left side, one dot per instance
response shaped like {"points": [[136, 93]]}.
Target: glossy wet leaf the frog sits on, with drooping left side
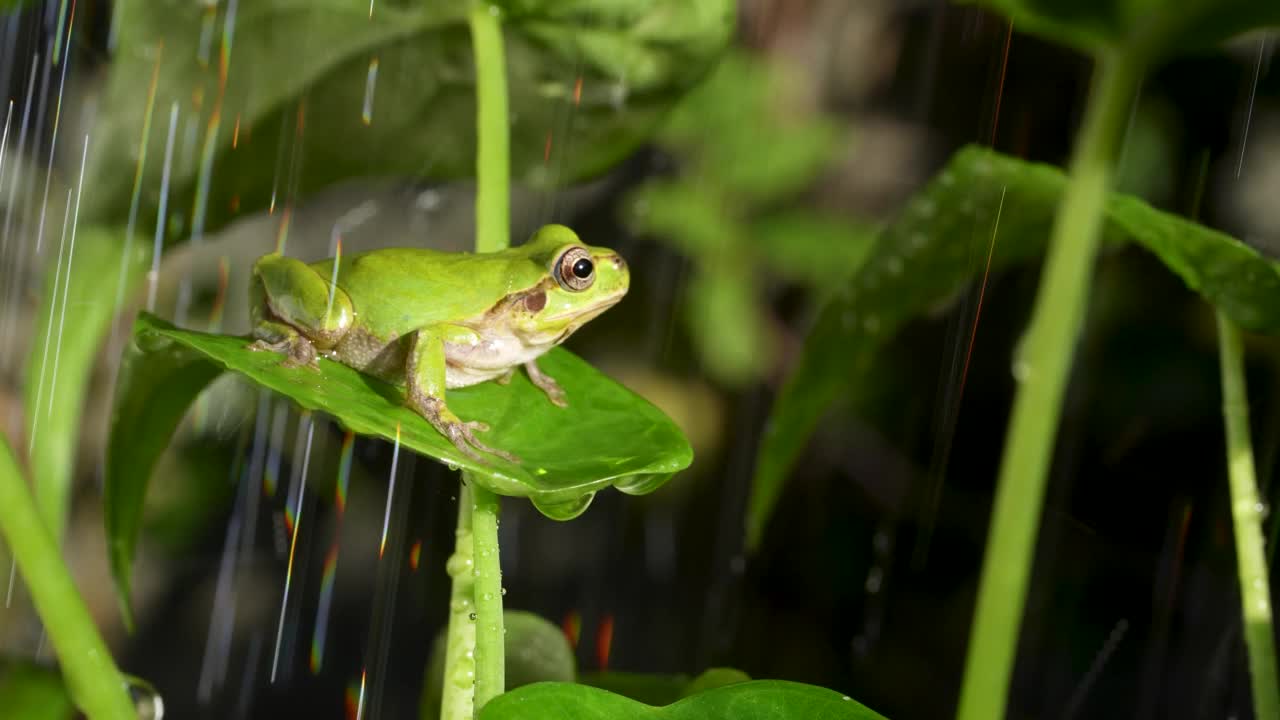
{"points": [[607, 438]]}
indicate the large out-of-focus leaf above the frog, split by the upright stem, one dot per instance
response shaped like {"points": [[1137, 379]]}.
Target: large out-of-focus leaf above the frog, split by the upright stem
{"points": [[376, 90]]}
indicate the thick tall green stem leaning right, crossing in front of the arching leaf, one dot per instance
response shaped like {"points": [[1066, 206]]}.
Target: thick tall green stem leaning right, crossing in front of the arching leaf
{"points": [[1043, 371]]}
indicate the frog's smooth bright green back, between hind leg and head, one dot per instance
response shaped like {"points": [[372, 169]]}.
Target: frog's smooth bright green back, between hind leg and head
{"points": [[399, 290]]}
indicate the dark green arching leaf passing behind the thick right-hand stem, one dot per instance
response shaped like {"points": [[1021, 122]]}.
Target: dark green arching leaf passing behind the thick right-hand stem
{"points": [[981, 204]]}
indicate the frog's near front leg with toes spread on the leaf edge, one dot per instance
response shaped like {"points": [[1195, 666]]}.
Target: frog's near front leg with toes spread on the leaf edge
{"points": [[426, 373]]}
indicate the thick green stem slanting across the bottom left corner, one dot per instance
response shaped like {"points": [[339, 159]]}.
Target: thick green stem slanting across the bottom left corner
{"points": [[95, 683]]}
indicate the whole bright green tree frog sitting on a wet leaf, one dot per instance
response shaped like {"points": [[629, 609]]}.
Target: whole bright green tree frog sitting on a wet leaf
{"points": [[436, 321]]}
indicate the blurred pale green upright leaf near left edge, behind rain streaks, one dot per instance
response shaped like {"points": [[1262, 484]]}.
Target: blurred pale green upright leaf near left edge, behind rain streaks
{"points": [[84, 291]]}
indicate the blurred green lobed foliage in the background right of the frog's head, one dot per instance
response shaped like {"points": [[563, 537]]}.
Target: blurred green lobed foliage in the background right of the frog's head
{"points": [[748, 149]]}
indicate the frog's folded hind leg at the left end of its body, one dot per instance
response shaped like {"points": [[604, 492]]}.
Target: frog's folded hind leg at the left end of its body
{"points": [[296, 311]]}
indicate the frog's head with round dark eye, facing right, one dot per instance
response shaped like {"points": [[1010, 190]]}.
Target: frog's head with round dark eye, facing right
{"points": [[578, 284]]}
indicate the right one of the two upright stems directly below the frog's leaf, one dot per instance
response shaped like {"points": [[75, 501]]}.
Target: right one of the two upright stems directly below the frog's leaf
{"points": [[490, 655]]}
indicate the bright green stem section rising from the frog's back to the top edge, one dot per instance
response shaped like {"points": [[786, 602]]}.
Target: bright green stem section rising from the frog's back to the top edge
{"points": [[493, 163]]}
